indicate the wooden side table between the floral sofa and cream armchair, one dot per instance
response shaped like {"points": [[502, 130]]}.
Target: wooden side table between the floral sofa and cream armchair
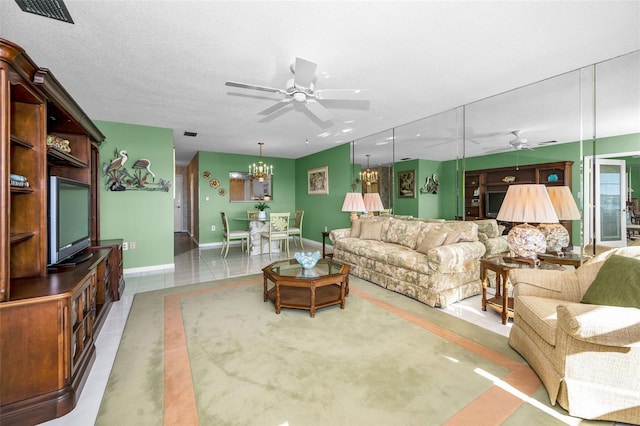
{"points": [[501, 265]]}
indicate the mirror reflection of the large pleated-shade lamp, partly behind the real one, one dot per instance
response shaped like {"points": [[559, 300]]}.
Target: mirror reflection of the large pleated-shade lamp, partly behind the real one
{"points": [[565, 207]]}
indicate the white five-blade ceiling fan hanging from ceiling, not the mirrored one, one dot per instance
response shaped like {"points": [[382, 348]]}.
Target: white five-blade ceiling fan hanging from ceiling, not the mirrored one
{"points": [[301, 89]]}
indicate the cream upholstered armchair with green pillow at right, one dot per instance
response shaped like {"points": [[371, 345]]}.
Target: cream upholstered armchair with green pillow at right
{"points": [[587, 355]]}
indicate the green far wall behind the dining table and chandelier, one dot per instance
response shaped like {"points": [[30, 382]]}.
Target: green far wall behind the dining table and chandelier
{"points": [[211, 203]]}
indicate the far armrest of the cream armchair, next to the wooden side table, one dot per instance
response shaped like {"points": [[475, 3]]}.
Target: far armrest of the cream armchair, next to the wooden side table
{"points": [[561, 285]]}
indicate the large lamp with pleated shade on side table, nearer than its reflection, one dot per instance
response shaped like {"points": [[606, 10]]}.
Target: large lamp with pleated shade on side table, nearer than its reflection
{"points": [[522, 204]]}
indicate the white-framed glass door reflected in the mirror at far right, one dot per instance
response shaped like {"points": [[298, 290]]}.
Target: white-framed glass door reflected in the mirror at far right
{"points": [[610, 196]]}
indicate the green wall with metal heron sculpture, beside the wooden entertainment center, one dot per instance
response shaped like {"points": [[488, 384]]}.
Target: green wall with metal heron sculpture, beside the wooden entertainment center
{"points": [[144, 217]]}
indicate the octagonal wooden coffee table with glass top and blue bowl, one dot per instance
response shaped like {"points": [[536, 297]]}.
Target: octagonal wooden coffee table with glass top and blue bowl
{"points": [[294, 287]]}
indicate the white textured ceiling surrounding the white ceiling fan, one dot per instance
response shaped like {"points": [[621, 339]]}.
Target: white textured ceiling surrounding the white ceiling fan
{"points": [[164, 63]]}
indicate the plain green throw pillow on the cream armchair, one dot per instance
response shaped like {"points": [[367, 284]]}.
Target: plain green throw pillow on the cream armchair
{"points": [[617, 283]]}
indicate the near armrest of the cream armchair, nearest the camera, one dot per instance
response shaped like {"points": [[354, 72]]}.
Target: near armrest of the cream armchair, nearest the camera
{"points": [[601, 325]]}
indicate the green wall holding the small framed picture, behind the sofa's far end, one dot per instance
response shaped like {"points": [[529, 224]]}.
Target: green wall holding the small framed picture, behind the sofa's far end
{"points": [[322, 211]]}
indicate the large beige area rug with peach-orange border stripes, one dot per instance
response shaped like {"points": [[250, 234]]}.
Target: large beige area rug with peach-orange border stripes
{"points": [[216, 354]]}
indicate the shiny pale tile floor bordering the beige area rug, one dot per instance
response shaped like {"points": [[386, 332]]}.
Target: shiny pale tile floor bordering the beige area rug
{"points": [[193, 265]]}
